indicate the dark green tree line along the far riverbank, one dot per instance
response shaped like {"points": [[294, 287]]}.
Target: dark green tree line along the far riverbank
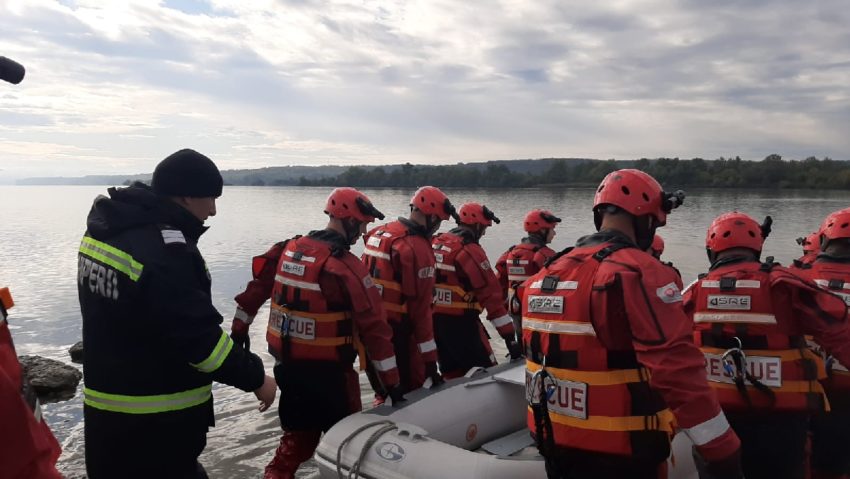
{"points": [[772, 172]]}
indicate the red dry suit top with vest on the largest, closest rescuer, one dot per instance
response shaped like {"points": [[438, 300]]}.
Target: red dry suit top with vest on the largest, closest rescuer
{"points": [[604, 321]]}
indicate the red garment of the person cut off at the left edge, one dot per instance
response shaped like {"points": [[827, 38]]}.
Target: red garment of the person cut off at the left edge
{"points": [[29, 450]]}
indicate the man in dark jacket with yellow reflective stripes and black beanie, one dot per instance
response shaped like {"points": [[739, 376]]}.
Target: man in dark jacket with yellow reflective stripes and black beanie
{"points": [[152, 335]]}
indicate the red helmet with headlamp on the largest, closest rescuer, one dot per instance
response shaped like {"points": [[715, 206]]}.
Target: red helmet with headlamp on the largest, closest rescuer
{"points": [[637, 193]]}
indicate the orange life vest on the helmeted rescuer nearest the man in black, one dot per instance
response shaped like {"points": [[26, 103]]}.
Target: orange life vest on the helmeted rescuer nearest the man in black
{"points": [[301, 324]]}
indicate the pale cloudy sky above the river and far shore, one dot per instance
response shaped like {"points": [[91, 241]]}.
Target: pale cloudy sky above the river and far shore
{"points": [[114, 86]]}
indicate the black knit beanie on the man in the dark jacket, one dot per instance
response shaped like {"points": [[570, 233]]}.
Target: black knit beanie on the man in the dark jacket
{"points": [[187, 173]]}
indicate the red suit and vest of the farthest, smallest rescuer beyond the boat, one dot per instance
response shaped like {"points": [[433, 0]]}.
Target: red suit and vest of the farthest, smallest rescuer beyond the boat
{"points": [[517, 264]]}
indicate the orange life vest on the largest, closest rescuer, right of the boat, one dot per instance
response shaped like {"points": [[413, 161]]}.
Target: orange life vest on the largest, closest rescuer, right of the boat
{"points": [[600, 399]]}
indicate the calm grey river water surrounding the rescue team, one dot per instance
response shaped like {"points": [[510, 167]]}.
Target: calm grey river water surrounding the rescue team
{"points": [[41, 226]]}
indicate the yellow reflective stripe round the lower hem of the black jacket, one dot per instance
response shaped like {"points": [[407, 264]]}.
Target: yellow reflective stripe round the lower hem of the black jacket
{"points": [[147, 404]]}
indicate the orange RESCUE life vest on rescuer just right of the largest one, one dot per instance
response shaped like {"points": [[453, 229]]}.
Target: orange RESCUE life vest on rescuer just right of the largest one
{"points": [[733, 303]]}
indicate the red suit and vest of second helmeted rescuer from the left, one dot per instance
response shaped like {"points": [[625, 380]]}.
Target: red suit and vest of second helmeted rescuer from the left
{"points": [[399, 258]]}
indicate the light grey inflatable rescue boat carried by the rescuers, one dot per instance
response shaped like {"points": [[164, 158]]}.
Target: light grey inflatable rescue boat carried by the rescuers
{"points": [[471, 427]]}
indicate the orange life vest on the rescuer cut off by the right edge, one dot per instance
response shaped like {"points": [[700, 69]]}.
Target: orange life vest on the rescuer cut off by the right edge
{"points": [[834, 277]]}
